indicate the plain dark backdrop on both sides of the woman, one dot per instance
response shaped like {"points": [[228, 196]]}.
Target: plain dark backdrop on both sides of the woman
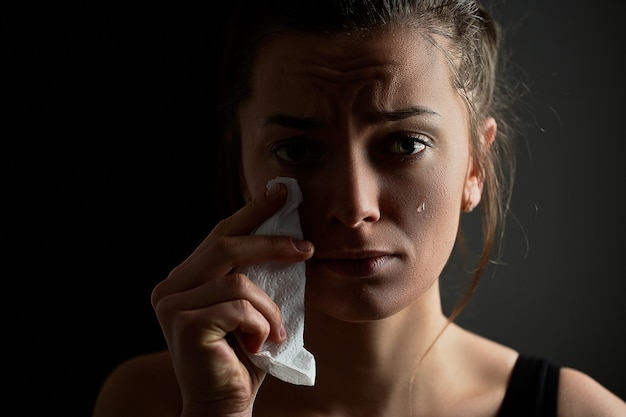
{"points": [[108, 159]]}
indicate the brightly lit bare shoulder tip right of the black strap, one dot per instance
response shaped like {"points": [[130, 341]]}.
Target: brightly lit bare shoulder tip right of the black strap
{"points": [[581, 395]]}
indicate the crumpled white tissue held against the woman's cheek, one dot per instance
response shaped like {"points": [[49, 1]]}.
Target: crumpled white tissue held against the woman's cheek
{"points": [[285, 284]]}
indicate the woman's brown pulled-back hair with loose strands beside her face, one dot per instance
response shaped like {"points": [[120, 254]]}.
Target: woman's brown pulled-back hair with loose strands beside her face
{"points": [[472, 43]]}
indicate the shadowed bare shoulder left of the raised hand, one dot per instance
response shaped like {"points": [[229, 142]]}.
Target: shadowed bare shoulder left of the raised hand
{"points": [[141, 386]]}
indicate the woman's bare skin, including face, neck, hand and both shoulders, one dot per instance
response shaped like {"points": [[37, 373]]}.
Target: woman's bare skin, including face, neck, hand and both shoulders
{"points": [[384, 186]]}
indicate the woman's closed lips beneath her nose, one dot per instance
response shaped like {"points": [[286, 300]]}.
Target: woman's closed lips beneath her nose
{"points": [[357, 264]]}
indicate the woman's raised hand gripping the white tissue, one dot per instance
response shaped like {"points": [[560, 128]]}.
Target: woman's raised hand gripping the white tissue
{"points": [[208, 312]]}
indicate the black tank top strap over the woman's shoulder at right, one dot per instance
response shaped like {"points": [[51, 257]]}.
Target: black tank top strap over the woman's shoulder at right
{"points": [[532, 390]]}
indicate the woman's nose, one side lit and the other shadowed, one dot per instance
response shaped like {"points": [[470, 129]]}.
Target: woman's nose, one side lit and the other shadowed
{"points": [[353, 192]]}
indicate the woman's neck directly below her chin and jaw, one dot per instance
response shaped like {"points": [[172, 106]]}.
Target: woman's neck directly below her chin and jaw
{"points": [[381, 350]]}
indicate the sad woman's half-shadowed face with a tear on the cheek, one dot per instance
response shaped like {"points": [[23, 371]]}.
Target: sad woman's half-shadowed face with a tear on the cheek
{"points": [[378, 140]]}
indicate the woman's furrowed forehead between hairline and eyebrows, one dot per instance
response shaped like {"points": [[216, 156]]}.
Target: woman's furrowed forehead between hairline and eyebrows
{"points": [[387, 67]]}
